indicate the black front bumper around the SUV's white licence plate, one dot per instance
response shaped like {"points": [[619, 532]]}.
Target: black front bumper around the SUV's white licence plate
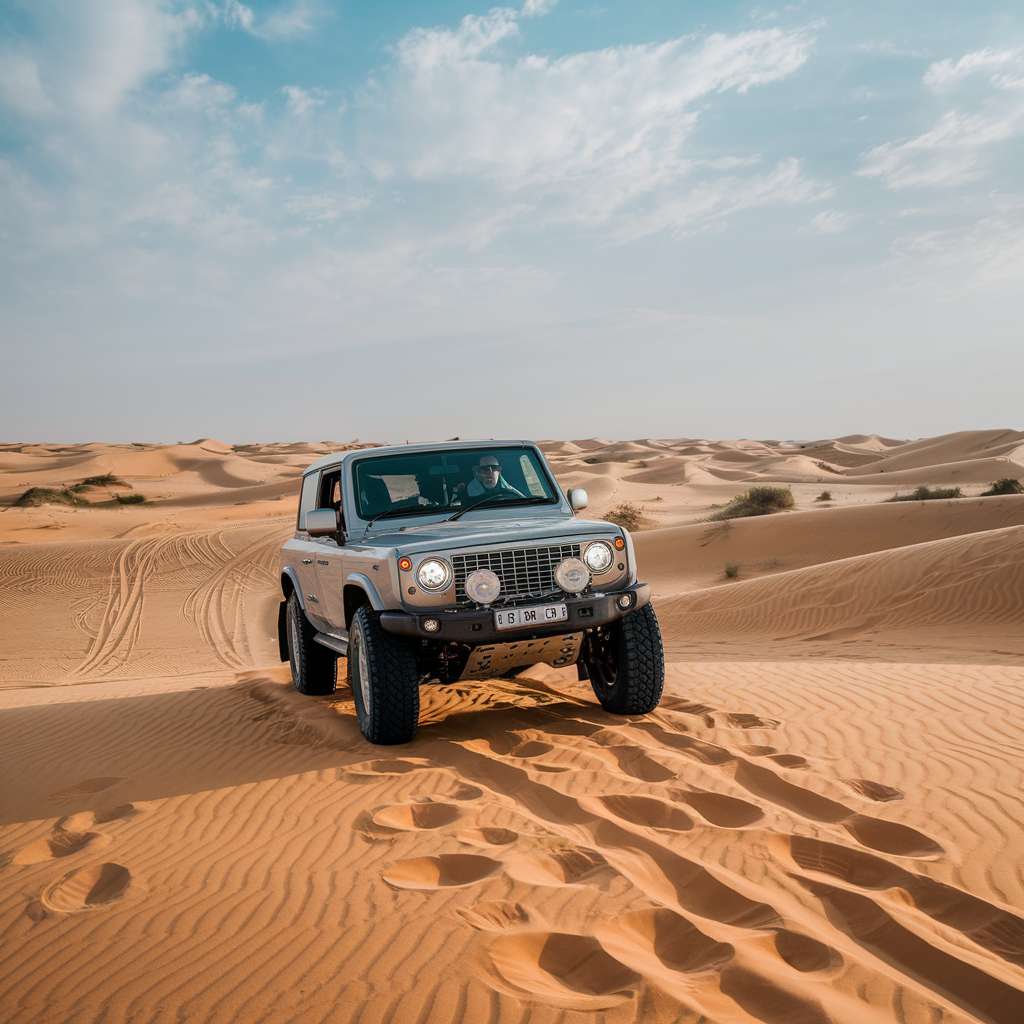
{"points": [[476, 626]]}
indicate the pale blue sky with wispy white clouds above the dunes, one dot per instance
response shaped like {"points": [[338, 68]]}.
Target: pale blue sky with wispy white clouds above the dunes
{"points": [[327, 221]]}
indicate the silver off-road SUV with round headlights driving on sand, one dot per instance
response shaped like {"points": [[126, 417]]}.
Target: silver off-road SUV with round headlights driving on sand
{"points": [[430, 564]]}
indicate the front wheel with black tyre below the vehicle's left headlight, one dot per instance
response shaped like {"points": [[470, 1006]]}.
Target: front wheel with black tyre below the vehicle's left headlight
{"points": [[385, 680]]}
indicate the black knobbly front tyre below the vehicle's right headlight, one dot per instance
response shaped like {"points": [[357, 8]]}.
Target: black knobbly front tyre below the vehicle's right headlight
{"points": [[626, 663]]}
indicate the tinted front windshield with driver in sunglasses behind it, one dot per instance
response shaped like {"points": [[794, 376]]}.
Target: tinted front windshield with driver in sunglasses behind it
{"points": [[432, 483]]}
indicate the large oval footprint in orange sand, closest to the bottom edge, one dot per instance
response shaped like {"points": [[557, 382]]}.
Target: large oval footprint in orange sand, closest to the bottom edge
{"points": [[562, 970]]}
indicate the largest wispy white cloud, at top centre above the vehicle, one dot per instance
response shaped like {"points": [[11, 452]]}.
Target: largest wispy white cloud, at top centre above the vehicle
{"points": [[590, 133]]}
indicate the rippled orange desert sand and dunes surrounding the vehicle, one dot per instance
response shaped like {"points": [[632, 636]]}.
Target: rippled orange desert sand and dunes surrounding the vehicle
{"points": [[822, 823]]}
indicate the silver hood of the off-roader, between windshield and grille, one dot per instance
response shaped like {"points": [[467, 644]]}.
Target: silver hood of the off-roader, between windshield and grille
{"points": [[481, 533]]}
